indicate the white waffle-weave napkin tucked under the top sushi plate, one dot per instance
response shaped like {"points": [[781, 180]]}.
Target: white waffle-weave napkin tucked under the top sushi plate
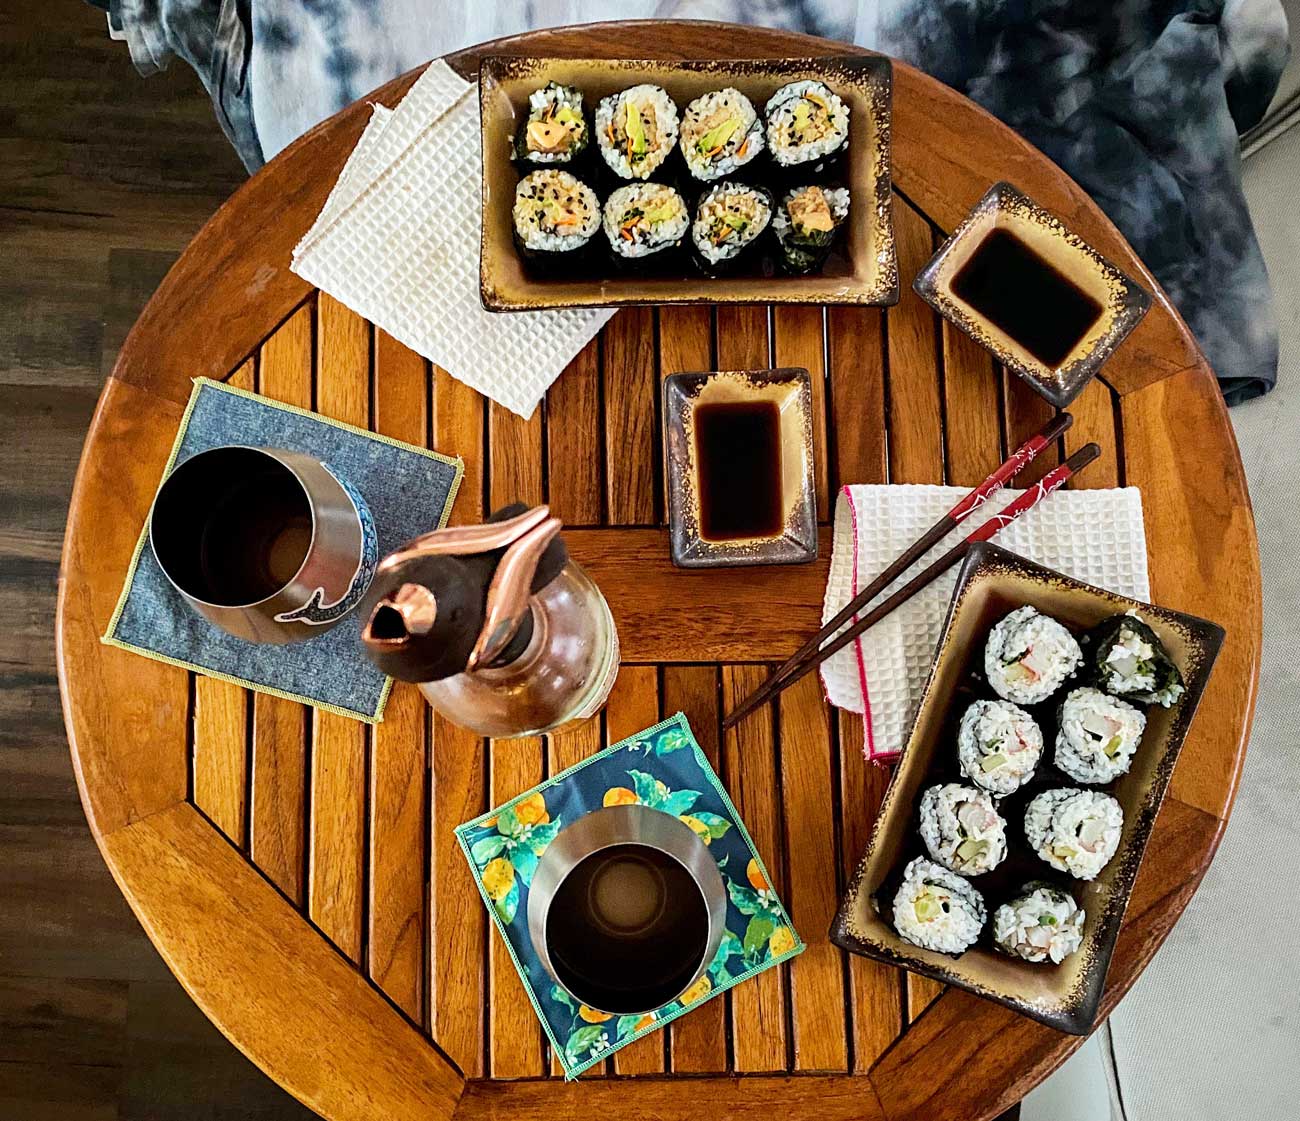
{"points": [[397, 241]]}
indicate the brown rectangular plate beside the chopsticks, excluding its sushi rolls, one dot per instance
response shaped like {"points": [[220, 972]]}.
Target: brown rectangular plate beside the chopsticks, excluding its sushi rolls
{"points": [[994, 583]]}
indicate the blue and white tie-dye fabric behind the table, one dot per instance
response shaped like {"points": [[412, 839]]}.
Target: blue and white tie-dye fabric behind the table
{"points": [[1141, 101]]}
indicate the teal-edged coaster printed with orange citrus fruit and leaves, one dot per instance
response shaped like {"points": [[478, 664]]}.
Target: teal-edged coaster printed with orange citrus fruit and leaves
{"points": [[662, 768]]}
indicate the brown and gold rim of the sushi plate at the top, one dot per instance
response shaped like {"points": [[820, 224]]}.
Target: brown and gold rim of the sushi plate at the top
{"points": [[876, 279]]}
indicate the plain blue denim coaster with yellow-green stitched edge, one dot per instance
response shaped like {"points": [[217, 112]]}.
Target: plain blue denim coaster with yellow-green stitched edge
{"points": [[408, 490]]}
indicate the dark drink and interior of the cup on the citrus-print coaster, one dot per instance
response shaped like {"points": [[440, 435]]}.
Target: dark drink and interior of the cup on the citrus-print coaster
{"points": [[627, 929]]}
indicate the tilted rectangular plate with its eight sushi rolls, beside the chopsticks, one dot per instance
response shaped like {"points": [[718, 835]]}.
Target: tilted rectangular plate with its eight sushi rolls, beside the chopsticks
{"points": [[1060, 989]]}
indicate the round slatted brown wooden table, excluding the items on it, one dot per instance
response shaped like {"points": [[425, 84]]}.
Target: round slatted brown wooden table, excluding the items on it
{"points": [[298, 872]]}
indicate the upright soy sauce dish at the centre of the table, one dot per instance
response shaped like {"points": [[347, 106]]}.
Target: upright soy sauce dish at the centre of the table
{"points": [[739, 464]]}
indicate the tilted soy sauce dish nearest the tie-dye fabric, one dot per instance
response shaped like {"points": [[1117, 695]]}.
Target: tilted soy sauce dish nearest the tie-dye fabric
{"points": [[1020, 283]]}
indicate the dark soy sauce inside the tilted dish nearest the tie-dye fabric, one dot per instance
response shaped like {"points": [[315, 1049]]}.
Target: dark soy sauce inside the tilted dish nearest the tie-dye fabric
{"points": [[1017, 291]]}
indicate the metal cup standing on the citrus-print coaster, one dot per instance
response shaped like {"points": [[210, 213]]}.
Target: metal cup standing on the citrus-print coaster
{"points": [[627, 910]]}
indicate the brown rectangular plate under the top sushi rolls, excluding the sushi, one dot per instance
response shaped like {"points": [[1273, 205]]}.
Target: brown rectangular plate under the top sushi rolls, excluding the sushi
{"points": [[864, 271]]}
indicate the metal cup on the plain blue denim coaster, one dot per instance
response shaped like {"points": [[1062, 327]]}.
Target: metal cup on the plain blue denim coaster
{"points": [[271, 546]]}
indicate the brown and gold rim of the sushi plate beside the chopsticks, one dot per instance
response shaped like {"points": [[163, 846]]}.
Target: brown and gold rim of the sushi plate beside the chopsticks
{"points": [[1077, 1010]]}
